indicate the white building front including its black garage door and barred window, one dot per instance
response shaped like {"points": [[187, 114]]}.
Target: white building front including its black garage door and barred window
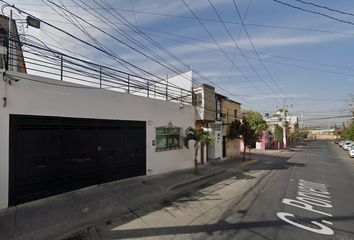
{"points": [[58, 136]]}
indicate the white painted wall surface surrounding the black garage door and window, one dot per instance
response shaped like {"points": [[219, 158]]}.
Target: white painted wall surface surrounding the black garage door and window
{"points": [[34, 95]]}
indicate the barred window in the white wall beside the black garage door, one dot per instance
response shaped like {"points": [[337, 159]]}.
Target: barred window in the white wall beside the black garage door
{"points": [[167, 139]]}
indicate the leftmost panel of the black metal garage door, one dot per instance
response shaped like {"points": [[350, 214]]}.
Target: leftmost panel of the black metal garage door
{"points": [[38, 165]]}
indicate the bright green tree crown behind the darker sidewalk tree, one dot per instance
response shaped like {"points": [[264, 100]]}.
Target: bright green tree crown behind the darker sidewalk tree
{"points": [[256, 121]]}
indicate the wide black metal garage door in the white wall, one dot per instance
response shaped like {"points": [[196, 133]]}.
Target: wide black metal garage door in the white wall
{"points": [[52, 155]]}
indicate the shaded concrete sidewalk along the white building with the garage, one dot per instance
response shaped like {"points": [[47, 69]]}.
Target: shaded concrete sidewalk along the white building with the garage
{"points": [[63, 215]]}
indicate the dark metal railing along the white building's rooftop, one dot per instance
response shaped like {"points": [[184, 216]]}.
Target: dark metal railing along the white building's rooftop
{"points": [[45, 62]]}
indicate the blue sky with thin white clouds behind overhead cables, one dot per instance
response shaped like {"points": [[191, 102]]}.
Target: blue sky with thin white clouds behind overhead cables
{"points": [[260, 53]]}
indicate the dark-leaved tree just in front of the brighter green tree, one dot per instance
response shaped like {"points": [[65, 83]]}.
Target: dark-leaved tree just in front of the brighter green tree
{"points": [[243, 130]]}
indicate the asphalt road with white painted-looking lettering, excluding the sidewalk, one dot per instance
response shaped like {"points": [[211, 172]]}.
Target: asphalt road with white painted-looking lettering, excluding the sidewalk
{"points": [[304, 193]]}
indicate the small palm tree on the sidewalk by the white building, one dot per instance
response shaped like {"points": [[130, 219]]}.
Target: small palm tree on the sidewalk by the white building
{"points": [[199, 137]]}
